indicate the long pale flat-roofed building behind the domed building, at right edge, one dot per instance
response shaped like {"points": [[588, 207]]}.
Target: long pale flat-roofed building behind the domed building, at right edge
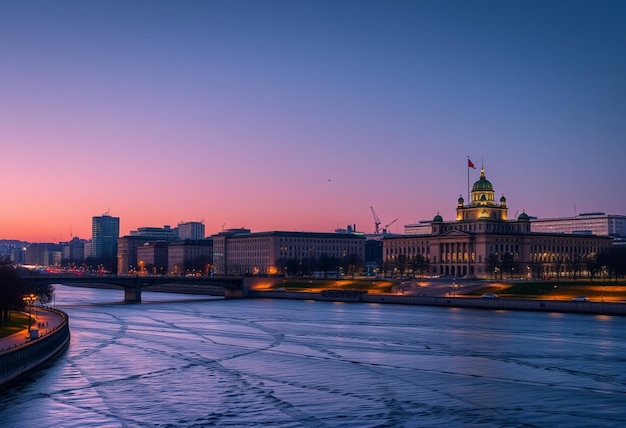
{"points": [[600, 224]]}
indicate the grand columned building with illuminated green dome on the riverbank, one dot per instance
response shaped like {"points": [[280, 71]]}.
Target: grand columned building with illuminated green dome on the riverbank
{"points": [[482, 242]]}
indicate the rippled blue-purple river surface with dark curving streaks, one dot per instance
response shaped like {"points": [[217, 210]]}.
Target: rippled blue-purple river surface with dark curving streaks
{"points": [[177, 360]]}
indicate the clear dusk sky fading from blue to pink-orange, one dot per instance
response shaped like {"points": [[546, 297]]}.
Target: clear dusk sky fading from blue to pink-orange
{"points": [[304, 115]]}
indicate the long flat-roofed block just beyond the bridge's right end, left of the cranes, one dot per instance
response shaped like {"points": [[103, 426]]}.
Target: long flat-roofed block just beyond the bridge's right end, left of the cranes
{"points": [[239, 252]]}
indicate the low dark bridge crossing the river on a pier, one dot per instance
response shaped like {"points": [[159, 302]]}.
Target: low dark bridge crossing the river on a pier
{"points": [[227, 286]]}
